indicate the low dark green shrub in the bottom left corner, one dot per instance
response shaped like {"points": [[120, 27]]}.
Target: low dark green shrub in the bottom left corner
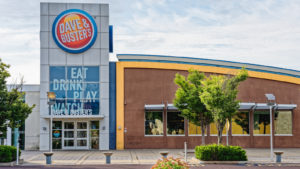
{"points": [[8, 153]]}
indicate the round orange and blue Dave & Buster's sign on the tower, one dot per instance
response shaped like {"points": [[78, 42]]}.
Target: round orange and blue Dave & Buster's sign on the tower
{"points": [[74, 31]]}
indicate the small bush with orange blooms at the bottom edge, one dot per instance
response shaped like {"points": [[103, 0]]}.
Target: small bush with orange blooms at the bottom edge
{"points": [[170, 162]]}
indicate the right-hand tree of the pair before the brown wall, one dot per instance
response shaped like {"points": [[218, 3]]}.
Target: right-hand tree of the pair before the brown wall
{"points": [[219, 96]]}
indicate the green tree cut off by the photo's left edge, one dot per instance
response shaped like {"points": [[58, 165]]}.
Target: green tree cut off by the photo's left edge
{"points": [[13, 109]]}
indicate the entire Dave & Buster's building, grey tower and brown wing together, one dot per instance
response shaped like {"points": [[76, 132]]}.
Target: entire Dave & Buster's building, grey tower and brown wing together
{"points": [[128, 104]]}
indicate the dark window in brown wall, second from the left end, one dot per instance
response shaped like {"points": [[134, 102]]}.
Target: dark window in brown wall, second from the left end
{"points": [[175, 123]]}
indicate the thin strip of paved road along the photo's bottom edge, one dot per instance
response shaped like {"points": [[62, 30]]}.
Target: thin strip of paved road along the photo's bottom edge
{"points": [[132, 166]]}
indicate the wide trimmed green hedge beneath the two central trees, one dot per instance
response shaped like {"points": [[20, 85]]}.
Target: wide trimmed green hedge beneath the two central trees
{"points": [[216, 152]]}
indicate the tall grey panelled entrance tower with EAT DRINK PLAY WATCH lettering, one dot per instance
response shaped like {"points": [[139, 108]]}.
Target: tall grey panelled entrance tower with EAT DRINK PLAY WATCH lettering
{"points": [[75, 65]]}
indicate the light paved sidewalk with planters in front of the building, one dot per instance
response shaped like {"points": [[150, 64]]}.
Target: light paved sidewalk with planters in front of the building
{"points": [[144, 156]]}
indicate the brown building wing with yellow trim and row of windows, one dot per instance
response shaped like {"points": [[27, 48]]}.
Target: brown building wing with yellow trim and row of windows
{"points": [[146, 117]]}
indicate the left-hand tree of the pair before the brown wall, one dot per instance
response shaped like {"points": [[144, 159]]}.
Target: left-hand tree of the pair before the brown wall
{"points": [[188, 101]]}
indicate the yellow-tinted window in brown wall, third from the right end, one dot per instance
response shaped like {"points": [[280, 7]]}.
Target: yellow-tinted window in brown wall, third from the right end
{"points": [[240, 123]]}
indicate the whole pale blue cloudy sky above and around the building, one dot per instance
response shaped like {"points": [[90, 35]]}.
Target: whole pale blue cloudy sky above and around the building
{"points": [[263, 32]]}
